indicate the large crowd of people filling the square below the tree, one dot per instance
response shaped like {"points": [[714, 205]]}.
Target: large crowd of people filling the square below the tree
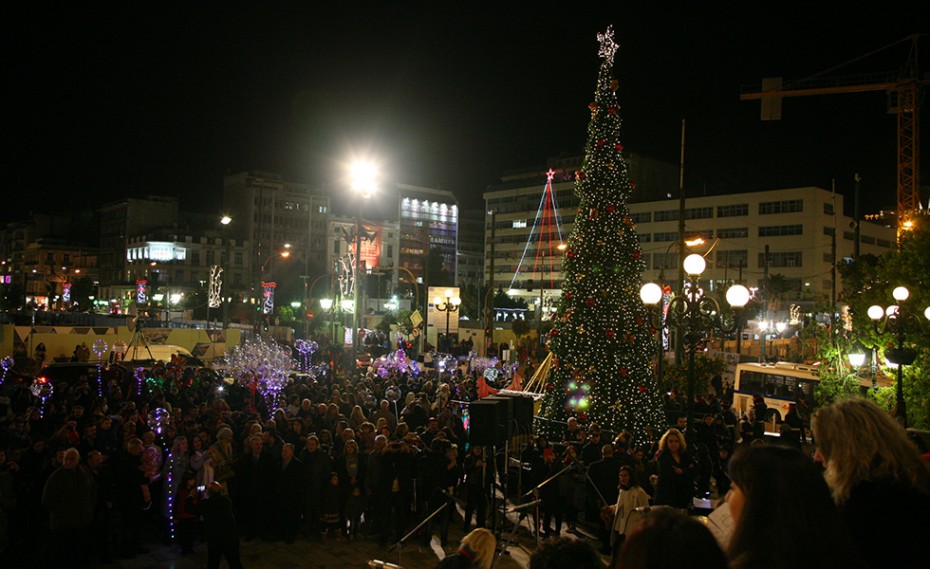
{"points": [[103, 469]]}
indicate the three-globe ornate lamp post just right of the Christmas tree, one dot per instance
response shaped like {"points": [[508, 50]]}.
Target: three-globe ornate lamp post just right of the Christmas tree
{"points": [[693, 314]]}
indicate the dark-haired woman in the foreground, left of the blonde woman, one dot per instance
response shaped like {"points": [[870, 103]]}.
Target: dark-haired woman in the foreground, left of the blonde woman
{"points": [[783, 514]]}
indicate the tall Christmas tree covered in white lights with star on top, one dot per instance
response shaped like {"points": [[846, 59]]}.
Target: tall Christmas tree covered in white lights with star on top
{"points": [[602, 341]]}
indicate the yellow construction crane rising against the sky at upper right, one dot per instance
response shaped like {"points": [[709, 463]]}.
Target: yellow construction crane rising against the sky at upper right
{"points": [[903, 88]]}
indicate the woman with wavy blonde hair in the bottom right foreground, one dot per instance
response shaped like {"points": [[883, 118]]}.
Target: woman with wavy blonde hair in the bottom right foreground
{"points": [[878, 481]]}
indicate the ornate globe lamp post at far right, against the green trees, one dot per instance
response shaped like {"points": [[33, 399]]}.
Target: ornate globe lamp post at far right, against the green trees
{"points": [[899, 320]]}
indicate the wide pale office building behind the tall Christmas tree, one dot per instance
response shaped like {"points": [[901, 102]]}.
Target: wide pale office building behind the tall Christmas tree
{"points": [[797, 233]]}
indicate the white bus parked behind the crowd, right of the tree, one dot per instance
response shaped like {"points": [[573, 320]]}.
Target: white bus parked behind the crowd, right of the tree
{"points": [[780, 384]]}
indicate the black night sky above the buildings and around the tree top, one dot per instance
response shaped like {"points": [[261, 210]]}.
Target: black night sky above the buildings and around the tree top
{"points": [[168, 98]]}
